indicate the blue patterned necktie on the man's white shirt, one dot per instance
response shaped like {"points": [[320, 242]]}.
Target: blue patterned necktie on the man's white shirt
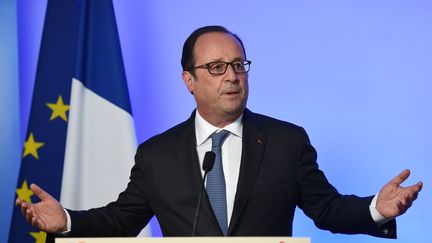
{"points": [[216, 189]]}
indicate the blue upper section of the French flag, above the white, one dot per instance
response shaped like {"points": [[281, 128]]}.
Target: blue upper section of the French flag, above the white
{"points": [[99, 58]]}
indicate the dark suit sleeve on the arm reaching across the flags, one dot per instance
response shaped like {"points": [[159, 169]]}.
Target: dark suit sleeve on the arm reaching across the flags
{"points": [[125, 217]]}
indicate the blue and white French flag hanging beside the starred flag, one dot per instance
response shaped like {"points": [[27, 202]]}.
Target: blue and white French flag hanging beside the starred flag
{"points": [[101, 140]]}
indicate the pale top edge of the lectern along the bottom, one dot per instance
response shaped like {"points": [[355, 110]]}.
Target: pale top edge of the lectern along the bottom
{"points": [[280, 239]]}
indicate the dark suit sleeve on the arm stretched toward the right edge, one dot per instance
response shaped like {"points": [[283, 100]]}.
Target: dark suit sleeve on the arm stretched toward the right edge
{"points": [[348, 214]]}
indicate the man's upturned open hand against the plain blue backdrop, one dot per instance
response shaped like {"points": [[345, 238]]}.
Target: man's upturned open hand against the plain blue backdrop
{"points": [[393, 199]]}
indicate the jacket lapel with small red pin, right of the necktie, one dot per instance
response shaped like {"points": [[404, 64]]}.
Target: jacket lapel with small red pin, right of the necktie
{"points": [[253, 146]]}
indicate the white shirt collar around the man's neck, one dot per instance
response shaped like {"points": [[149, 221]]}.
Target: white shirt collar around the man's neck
{"points": [[204, 130]]}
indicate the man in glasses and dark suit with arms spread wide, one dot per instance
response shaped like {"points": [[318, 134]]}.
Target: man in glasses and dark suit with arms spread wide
{"points": [[267, 168]]}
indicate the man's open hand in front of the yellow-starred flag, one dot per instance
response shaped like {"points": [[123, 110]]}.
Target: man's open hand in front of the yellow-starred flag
{"points": [[47, 215]]}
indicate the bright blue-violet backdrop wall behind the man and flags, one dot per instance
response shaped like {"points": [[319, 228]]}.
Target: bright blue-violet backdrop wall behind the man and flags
{"points": [[356, 74]]}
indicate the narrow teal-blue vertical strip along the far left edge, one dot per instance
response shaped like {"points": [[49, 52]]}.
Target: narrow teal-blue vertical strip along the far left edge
{"points": [[10, 145]]}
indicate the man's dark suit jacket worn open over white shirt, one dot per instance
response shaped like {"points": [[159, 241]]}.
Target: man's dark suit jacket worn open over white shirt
{"points": [[278, 172]]}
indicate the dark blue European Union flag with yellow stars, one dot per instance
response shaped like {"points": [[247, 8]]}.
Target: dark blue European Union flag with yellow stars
{"points": [[43, 154]]}
